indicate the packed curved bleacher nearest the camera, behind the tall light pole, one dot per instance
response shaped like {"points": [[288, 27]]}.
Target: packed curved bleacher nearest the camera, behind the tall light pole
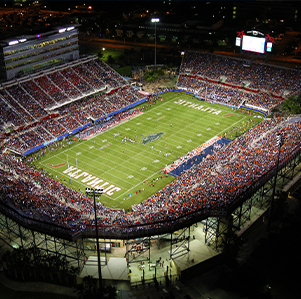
{"points": [[212, 185]]}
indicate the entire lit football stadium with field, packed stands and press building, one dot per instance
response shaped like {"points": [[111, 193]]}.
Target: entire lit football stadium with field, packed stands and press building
{"points": [[92, 166]]}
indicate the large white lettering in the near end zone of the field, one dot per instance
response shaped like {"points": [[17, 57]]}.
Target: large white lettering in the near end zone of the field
{"points": [[91, 180]]}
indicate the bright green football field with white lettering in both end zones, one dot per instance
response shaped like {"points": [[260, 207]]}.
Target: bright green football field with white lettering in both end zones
{"points": [[127, 160]]}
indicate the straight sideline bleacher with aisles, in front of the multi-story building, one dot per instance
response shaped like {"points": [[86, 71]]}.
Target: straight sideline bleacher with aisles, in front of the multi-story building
{"points": [[60, 100]]}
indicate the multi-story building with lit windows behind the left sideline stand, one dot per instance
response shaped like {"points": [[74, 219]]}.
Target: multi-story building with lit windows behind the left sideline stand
{"points": [[21, 55]]}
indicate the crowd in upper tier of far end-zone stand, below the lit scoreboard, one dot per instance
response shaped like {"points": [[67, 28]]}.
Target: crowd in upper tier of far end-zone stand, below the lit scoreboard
{"points": [[241, 72]]}
